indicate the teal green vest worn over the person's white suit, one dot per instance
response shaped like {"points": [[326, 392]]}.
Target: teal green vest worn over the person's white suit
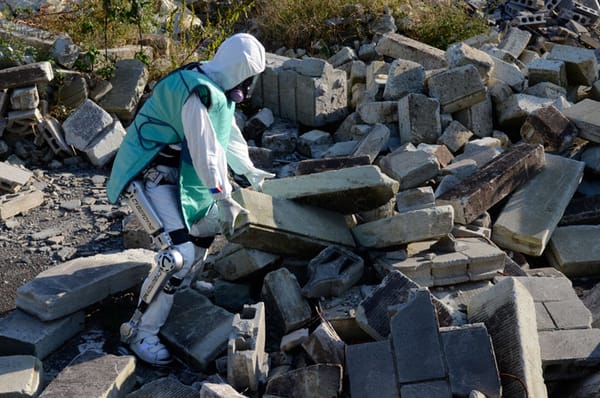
{"points": [[157, 124]]}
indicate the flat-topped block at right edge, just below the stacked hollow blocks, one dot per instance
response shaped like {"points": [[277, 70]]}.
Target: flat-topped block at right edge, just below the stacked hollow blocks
{"points": [[581, 64]]}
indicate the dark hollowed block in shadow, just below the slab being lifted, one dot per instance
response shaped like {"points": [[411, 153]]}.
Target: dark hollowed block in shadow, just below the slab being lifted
{"points": [[332, 272]]}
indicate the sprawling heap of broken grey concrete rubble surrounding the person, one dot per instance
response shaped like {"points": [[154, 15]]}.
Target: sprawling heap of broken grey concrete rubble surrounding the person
{"points": [[431, 212]]}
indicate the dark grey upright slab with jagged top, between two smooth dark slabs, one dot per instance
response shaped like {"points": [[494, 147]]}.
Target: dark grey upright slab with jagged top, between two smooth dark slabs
{"points": [[416, 342]]}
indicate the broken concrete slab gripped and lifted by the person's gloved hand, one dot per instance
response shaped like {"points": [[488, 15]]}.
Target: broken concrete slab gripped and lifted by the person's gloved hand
{"points": [[282, 226]]}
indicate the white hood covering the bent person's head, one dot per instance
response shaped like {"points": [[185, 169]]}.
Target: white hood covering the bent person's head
{"points": [[239, 57]]}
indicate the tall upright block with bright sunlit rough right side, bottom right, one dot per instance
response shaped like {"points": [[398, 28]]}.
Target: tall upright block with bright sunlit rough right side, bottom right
{"points": [[508, 312]]}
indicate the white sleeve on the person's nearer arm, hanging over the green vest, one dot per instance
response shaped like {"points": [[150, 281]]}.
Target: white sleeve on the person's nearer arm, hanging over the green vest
{"points": [[208, 156]]}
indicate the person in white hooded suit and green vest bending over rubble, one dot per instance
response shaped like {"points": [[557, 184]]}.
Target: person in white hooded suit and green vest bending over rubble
{"points": [[180, 144]]}
